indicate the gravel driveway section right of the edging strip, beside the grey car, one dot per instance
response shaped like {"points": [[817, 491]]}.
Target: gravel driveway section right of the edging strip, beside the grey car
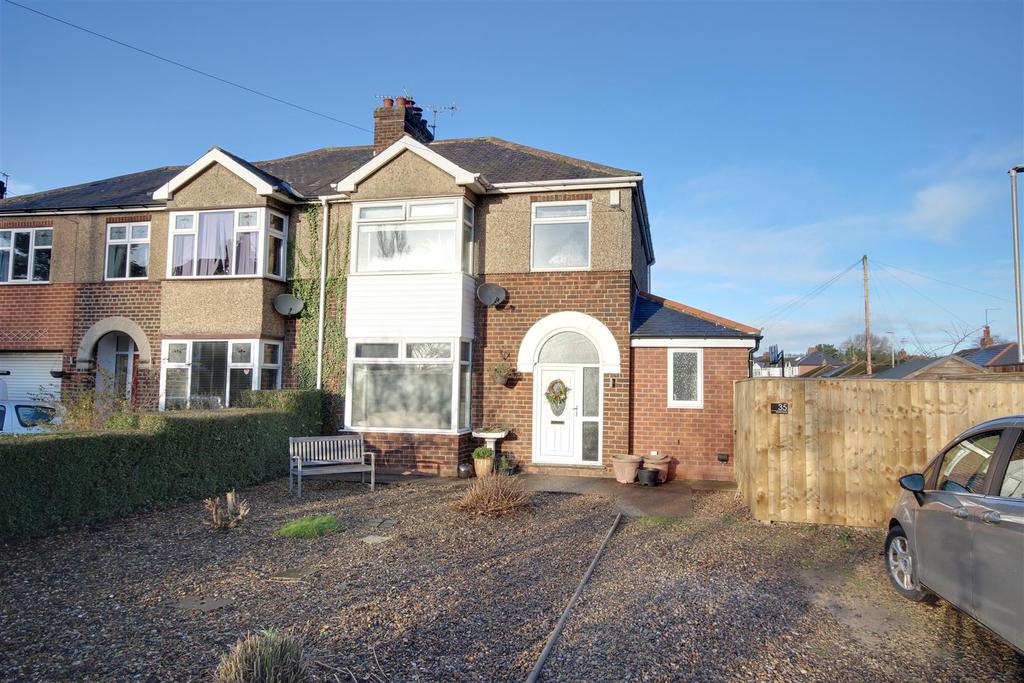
{"points": [[722, 597]]}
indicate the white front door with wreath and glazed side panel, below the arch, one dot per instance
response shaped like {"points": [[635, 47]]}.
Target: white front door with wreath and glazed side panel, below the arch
{"points": [[569, 434]]}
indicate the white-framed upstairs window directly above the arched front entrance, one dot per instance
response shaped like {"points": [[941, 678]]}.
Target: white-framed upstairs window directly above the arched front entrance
{"points": [[561, 236]]}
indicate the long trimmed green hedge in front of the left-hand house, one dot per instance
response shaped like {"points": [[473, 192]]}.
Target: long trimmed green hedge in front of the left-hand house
{"points": [[52, 481]]}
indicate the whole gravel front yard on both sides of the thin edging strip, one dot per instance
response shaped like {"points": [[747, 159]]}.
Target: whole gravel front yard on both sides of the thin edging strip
{"points": [[449, 597]]}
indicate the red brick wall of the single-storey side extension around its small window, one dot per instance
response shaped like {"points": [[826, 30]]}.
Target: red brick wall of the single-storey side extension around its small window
{"points": [[692, 438]]}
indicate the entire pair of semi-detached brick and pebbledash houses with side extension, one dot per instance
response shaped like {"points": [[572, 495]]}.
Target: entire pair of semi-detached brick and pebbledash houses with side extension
{"points": [[160, 286]]}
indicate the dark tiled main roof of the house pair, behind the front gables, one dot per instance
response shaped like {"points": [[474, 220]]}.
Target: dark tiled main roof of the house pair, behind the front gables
{"points": [[312, 174]]}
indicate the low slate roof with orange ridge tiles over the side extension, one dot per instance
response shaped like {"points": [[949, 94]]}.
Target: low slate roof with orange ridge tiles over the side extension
{"points": [[657, 318]]}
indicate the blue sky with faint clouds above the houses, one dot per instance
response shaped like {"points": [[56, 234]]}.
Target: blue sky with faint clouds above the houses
{"points": [[780, 142]]}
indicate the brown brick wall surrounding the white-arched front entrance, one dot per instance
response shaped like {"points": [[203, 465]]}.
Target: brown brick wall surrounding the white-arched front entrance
{"points": [[606, 296]]}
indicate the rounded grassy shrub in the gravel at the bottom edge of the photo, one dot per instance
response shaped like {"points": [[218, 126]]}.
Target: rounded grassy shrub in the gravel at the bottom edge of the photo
{"points": [[268, 657]]}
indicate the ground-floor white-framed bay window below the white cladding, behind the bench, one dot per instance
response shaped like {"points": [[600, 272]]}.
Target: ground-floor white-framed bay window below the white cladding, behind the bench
{"points": [[410, 386]]}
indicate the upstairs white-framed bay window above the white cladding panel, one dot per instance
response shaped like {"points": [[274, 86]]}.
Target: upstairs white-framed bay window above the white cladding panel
{"points": [[414, 236]]}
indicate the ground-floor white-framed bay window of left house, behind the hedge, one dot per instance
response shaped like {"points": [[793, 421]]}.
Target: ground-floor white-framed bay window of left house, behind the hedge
{"points": [[214, 373]]}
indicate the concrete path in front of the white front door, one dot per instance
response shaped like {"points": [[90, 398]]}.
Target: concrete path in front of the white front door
{"points": [[669, 500]]}
